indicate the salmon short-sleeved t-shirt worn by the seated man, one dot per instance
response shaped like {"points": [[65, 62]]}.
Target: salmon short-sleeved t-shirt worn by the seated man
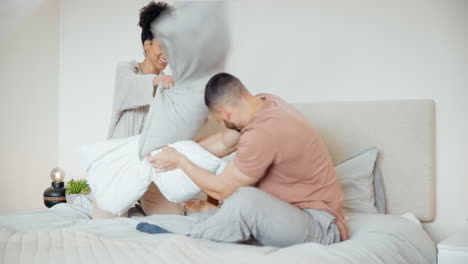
{"points": [[281, 149]]}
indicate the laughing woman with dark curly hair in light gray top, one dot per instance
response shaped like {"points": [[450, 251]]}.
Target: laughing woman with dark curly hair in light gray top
{"points": [[135, 87]]}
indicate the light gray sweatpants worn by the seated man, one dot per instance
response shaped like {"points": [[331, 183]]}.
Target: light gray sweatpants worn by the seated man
{"points": [[250, 213]]}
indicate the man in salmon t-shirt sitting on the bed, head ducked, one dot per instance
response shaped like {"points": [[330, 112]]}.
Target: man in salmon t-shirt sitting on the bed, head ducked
{"points": [[280, 188]]}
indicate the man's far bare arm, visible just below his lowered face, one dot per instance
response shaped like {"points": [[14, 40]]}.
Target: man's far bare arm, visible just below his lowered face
{"points": [[222, 143]]}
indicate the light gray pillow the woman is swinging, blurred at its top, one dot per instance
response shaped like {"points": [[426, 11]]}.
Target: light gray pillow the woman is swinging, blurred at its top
{"points": [[195, 38]]}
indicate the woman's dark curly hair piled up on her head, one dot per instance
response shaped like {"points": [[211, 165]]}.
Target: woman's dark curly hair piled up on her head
{"points": [[148, 14]]}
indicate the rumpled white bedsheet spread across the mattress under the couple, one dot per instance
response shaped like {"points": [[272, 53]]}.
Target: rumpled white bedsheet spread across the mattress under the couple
{"points": [[48, 233]]}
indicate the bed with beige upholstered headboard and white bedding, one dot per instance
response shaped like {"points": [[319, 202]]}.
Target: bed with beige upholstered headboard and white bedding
{"points": [[402, 130]]}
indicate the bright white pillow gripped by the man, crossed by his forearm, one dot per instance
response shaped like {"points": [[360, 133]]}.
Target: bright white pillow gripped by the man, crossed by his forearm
{"points": [[118, 178]]}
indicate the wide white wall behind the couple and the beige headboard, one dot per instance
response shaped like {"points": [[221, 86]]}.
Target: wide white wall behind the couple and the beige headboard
{"points": [[303, 51]]}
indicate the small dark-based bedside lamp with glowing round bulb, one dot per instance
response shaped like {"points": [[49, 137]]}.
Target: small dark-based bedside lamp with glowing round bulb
{"points": [[56, 193]]}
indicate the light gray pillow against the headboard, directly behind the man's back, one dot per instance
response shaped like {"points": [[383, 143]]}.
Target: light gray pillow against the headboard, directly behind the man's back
{"points": [[356, 178]]}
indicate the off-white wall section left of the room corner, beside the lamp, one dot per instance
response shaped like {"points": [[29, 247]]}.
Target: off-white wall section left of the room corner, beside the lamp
{"points": [[28, 101]]}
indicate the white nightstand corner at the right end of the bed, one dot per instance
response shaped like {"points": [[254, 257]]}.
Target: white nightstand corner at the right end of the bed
{"points": [[453, 250]]}
